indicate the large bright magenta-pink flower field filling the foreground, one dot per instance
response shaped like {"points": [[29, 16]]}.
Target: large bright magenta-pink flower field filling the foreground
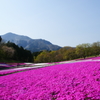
{"points": [[72, 81]]}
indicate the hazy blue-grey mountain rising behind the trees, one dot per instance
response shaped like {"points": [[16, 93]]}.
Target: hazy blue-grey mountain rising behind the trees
{"points": [[26, 42]]}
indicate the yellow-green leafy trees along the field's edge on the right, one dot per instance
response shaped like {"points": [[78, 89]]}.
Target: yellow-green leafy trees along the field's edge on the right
{"points": [[69, 53]]}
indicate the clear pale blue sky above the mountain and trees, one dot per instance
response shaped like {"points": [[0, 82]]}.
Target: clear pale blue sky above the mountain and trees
{"points": [[62, 22]]}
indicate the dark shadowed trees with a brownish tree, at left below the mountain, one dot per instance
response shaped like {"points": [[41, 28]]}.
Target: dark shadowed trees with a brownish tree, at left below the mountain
{"points": [[11, 52]]}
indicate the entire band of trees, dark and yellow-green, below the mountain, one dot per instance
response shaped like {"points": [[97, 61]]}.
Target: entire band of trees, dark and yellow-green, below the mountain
{"points": [[11, 51]]}
